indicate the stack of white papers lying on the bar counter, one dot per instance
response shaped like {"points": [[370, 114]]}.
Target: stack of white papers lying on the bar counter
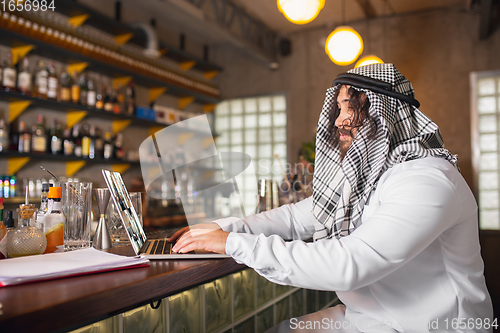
{"points": [[54, 265]]}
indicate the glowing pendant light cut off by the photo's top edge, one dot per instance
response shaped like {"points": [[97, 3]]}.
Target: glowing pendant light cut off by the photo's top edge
{"points": [[300, 11]]}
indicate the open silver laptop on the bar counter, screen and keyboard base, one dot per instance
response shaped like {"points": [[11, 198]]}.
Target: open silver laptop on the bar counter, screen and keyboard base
{"points": [[150, 248]]}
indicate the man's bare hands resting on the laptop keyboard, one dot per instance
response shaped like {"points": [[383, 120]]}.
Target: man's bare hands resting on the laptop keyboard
{"points": [[208, 237]]}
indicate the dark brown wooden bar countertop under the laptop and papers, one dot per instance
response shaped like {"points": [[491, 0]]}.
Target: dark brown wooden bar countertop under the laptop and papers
{"points": [[66, 304]]}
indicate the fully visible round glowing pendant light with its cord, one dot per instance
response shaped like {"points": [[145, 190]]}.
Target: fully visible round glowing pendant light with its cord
{"points": [[344, 44]]}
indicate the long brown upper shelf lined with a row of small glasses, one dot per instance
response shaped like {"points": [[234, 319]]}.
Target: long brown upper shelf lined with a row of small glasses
{"points": [[68, 42]]}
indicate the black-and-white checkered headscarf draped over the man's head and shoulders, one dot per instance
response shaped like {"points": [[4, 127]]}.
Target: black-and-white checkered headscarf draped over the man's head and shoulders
{"points": [[341, 188]]}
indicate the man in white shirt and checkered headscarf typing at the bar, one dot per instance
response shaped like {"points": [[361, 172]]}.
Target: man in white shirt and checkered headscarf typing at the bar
{"points": [[394, 223]]}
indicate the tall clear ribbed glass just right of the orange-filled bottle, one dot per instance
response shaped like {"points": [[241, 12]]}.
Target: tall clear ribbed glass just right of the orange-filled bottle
{"points": [[76, 198]]}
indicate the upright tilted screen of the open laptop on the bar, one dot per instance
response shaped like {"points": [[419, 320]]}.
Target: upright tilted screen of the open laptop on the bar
{"points": [[125, 208]]}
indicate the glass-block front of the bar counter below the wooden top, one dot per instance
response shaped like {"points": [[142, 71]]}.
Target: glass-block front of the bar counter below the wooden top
{"points": [[241, 302]]}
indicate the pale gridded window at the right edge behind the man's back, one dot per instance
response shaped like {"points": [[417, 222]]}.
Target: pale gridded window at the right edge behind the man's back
{"points": [[485, 146]]}
